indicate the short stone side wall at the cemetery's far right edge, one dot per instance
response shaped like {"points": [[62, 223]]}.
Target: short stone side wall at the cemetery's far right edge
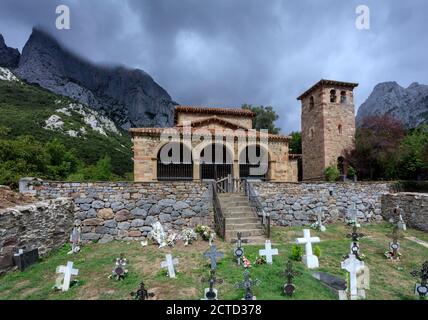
{"points": [[414, 208]]}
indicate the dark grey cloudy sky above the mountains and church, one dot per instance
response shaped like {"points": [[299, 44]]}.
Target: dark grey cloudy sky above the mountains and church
{"points": [[229, 52]]}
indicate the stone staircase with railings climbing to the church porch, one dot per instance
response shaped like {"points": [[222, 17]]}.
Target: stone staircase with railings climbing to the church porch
{"points": [[241, 217]]}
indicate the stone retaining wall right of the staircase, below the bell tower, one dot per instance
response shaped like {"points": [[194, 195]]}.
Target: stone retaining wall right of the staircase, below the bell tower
{"points": [[295, 204]]}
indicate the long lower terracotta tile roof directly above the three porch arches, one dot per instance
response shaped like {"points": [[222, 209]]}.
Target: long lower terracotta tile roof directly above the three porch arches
{"points": [[157, 131]]}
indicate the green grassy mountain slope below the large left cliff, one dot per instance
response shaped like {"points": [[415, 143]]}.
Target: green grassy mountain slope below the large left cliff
{"points": [[24, 109]]}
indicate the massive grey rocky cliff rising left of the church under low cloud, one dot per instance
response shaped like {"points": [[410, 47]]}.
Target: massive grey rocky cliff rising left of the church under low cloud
{"points": [[131, 98]]}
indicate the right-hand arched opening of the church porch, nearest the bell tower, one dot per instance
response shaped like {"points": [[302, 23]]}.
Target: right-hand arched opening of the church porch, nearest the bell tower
{"points": [[248, 169]]}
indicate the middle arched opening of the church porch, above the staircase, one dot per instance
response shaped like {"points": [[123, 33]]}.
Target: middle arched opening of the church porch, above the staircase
{"points": [[216, 162]]}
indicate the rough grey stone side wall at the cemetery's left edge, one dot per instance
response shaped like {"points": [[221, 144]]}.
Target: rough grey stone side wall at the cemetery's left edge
{"points": [[45, 225]]}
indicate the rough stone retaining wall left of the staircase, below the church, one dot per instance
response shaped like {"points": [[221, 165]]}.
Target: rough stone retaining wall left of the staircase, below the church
{"points": [[126, 210]]}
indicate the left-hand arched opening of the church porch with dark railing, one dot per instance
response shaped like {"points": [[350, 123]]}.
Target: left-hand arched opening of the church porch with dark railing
{"points": [[179, 167]]}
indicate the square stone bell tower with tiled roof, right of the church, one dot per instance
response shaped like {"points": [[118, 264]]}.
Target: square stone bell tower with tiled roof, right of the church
{"points": [[328, 127]]}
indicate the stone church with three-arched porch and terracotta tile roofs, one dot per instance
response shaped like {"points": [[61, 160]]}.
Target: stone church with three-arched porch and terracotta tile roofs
{"points": [[211, 143]]}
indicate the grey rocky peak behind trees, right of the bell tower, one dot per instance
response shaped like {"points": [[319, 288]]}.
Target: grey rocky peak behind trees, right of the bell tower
{"points": [[410, 105]]}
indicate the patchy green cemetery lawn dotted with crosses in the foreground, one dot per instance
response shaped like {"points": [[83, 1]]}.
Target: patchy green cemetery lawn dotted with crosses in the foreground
{"points": [[388, 280]]}
